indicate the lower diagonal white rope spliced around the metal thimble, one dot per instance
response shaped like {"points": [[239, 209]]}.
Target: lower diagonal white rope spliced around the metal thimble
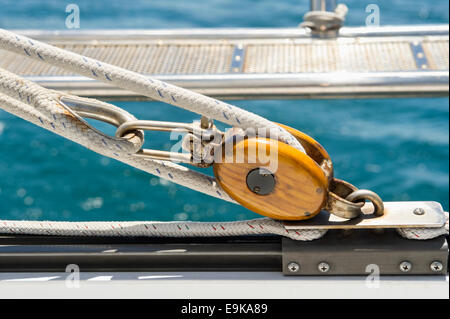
{"points": [[45, 111]]}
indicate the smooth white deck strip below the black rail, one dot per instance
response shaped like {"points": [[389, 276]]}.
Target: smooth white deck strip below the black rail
{"points": [[225, 285]]}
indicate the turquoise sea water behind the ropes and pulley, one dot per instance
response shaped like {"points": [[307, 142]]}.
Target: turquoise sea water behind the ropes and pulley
{"points": [[397, 147]]}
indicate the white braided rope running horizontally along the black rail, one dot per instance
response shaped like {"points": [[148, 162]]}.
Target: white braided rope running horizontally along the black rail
{"points": [[258, 226]]}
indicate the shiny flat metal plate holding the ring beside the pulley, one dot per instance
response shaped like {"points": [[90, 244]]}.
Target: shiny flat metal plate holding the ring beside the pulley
{"points": [[396, 215]]}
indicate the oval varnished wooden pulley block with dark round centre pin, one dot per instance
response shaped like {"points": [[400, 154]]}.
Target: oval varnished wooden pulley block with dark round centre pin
{"points": [[274, 179]]}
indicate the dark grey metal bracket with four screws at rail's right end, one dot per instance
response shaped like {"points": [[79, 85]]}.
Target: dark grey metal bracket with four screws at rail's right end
{"points": [[363, 252]]}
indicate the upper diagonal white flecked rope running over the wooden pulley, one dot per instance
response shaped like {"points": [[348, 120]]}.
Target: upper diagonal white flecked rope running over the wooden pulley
{"points": [[138, 83]]}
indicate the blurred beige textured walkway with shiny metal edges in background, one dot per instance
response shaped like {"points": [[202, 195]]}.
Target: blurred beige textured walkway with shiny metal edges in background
{"points": [[256, 63]]}
